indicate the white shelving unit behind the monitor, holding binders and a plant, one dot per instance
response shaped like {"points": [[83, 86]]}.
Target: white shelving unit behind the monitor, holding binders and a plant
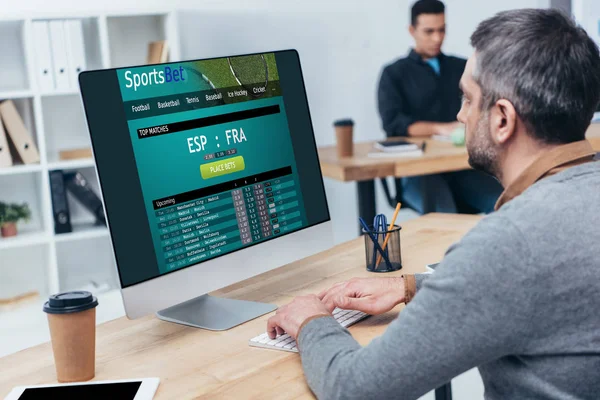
{"points": [[38, 259]]}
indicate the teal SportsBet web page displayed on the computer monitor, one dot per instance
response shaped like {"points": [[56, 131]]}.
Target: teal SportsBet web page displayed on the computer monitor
{"points": [[214, 156]]}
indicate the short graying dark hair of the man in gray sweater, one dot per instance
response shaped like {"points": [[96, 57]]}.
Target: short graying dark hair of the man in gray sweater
{"points": [[545, 65]]}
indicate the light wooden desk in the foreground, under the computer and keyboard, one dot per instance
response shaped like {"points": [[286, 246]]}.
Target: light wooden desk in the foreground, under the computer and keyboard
{"points": [[194, 363]]}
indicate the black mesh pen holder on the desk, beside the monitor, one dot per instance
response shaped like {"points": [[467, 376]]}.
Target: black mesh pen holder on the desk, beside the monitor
{"points": [[392, 250]]}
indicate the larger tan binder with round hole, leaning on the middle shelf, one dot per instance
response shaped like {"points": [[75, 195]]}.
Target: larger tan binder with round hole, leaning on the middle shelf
{"points": [[18, 133]]}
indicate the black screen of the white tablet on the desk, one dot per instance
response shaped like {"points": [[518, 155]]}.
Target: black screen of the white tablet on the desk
{"points": [[113, 391]]}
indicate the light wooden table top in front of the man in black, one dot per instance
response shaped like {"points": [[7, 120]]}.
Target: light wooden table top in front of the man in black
{"points": [[439, 157]]}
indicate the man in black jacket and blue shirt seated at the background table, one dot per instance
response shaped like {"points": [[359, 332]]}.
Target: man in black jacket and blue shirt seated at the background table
{"points": [[419, 97]]}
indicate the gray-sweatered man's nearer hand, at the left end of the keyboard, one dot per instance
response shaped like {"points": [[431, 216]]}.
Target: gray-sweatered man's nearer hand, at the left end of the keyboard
{"points": [[290, 317]]}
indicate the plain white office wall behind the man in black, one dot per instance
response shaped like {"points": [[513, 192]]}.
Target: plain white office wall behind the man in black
{"points": [[343, 46]]}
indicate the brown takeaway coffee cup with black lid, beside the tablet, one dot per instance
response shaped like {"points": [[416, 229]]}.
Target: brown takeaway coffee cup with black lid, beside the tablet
{"points": [[72, 320]]}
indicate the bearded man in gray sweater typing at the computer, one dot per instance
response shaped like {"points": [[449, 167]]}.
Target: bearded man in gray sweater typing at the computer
{"points": [[519, 295]]}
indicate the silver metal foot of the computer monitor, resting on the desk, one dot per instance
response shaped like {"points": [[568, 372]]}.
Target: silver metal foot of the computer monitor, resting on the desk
{"points": [[214, 313]]}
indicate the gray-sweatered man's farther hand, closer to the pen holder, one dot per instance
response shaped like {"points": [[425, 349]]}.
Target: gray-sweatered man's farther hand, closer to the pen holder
{"points": [[370, 295]]}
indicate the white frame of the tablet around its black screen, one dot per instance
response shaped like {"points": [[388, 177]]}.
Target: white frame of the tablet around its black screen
{"points": [[130, 389]]}
